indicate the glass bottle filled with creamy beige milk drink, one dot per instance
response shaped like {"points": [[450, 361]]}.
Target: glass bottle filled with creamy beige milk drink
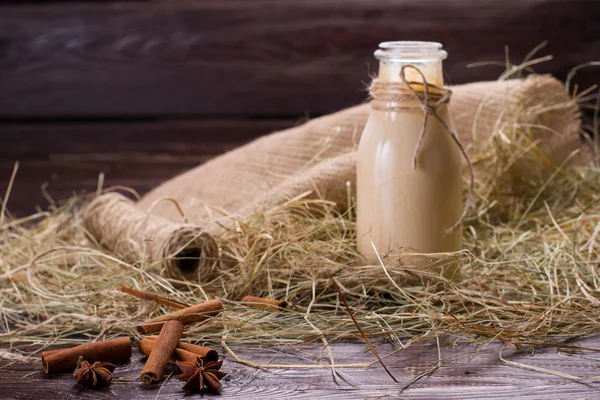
{"points": [[407, 206]]}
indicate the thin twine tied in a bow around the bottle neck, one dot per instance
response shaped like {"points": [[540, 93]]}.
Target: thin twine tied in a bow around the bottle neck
{"points": [[428, 101]]}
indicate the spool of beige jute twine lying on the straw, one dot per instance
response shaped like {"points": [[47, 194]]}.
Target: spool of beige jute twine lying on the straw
{"points": [[178, 250]]}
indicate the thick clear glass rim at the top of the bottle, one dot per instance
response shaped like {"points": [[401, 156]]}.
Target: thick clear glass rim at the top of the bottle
{"points": [[411, 51]]}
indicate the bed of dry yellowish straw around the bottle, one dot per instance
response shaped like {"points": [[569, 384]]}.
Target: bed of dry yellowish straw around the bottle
{"points": [[529, 269]]}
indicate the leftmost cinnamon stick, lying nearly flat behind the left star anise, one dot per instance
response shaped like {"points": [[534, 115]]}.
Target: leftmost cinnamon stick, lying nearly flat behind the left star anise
{"points": [[62, 360]]}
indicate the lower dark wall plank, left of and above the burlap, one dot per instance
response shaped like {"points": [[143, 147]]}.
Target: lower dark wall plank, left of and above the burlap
{"points": [[68, 157]]}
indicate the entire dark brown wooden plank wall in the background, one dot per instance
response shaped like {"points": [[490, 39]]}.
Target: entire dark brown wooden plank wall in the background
{"points": [[143, 90]]}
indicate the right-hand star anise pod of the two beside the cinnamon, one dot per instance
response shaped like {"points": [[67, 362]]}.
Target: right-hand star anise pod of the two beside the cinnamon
{"points": [[199, 374]]}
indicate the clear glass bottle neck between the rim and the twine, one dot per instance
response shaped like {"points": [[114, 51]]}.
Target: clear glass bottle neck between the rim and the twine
{"points": [[389, 71]]}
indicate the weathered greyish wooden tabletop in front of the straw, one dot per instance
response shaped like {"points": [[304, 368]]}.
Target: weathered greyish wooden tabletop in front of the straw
{"points": [[467, 372]]}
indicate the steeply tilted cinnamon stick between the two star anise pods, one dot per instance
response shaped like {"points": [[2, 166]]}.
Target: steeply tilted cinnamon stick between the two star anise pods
{"points": [[165, 345]]}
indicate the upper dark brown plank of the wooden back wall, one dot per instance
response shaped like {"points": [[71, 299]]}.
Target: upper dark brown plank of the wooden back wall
{"points": [[260, 57]]}
